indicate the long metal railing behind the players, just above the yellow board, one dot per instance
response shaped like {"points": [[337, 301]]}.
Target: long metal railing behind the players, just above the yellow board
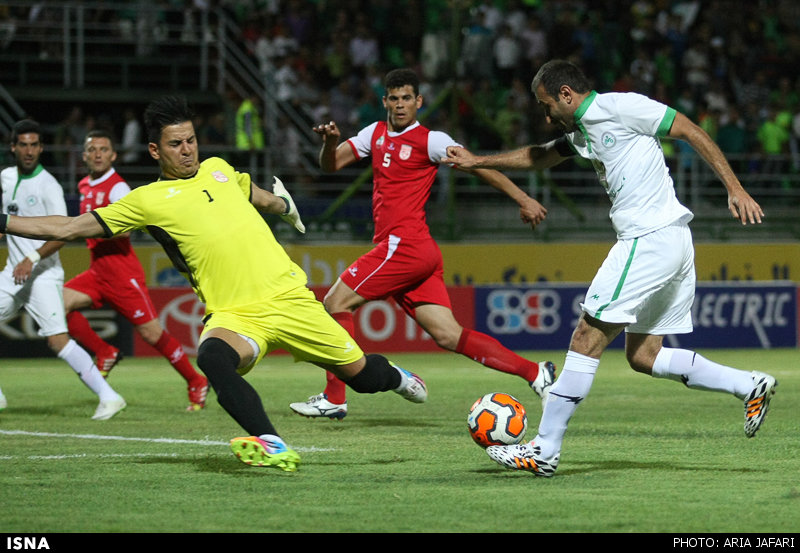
{"points": [[462, 207]]}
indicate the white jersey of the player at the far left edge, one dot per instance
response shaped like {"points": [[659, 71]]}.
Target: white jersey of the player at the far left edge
{"points": [[27, 196]]}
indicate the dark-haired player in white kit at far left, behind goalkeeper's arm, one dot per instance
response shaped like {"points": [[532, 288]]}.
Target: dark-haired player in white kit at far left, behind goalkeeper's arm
{"points": [[33, 277]]}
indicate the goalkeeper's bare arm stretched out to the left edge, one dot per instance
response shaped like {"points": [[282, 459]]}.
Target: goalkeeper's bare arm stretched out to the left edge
{"points": [[53, 227]]}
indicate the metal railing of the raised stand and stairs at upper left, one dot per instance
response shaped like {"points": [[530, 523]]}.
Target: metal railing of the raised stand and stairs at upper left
{"points": [[118, 51]]}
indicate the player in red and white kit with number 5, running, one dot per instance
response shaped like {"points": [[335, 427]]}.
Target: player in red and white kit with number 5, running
{"points": [[406, 263]]}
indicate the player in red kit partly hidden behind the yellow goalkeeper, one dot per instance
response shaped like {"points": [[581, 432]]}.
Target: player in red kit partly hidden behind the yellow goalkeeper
{"points": [[116, 277]]}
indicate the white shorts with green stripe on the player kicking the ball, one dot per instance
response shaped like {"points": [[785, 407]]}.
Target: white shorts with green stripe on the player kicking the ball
{"points": [[647, 283]]}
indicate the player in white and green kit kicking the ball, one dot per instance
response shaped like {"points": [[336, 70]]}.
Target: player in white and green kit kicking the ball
{"points": [[646, 284]]}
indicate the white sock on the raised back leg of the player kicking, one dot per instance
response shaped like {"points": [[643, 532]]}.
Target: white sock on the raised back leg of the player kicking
{"points": [[698, 373]]}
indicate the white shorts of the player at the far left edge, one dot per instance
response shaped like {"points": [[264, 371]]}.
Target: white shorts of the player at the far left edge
{"points": [[41, 296]]}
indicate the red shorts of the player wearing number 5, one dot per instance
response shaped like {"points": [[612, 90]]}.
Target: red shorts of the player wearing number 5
{"points": [[410, 271]]}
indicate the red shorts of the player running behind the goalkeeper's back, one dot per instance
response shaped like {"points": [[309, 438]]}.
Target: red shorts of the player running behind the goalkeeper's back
{"points": [[127, 295]]}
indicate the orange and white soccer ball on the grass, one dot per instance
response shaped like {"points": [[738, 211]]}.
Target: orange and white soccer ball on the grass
{"points": [[497, 419]]}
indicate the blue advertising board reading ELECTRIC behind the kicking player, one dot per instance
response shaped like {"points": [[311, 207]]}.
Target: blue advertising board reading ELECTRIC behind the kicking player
{"points": [[725, 315]]}
